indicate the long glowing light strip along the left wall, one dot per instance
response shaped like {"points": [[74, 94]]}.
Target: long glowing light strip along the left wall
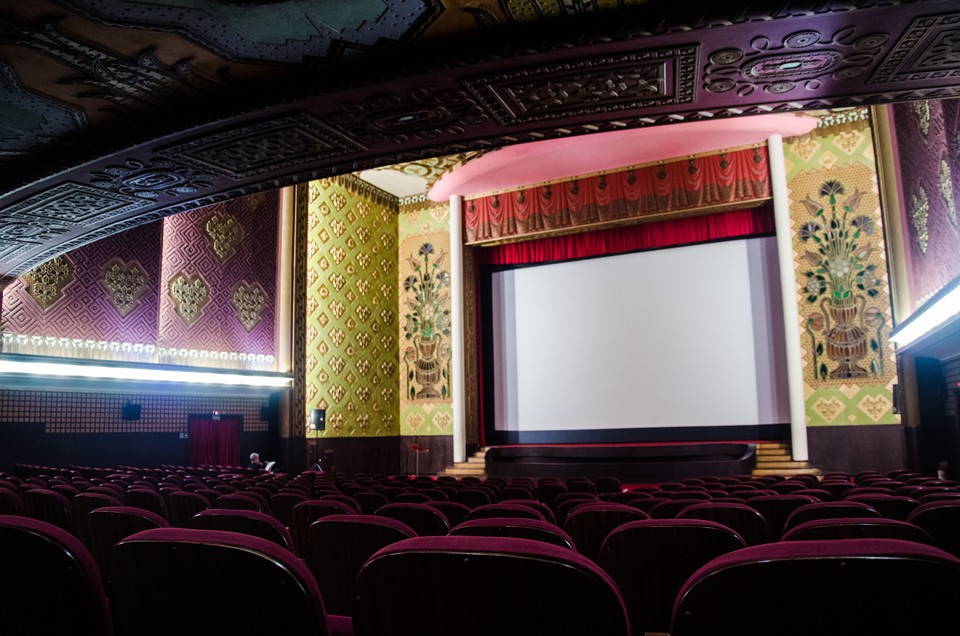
{"points": [[139, 374]]}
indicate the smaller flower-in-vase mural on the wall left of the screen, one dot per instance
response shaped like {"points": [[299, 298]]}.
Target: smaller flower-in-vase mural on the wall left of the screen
{"points": [[427, 325]]}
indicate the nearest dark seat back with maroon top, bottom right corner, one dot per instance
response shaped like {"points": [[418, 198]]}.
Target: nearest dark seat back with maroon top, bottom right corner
{"points": [[852, 580]]}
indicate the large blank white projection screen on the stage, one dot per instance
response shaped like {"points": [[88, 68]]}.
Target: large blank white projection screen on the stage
{"points": [[664, 339]]}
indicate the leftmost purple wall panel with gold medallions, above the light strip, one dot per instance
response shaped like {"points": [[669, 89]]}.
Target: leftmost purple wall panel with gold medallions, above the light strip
{"points": [[98, 301]]}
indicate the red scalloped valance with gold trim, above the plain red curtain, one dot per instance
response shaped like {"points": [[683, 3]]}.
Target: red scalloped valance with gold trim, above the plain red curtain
{"points": [[639, 193]]}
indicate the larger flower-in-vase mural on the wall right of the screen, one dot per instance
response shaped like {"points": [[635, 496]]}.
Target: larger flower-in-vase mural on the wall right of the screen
{"points": [[846, 332]]}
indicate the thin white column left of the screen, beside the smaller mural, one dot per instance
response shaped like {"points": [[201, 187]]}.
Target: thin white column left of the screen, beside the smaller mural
{"points": [[456, 330]]}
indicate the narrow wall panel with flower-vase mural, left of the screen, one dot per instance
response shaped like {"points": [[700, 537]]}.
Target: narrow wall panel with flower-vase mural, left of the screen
{"points": [[424, 271]]}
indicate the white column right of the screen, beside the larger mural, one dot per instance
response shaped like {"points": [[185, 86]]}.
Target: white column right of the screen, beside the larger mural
{"points": [[788, 286]]}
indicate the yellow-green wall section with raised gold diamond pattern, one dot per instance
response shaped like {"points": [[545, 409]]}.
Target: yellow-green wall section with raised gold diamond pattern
{"points": [[352, 321]]}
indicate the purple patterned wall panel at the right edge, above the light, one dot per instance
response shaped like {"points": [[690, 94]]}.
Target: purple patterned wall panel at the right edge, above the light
{"points": [[928, 147]]}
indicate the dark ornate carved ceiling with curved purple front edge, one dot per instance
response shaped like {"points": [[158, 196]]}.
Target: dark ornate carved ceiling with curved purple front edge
{"points": [[115, 113]]}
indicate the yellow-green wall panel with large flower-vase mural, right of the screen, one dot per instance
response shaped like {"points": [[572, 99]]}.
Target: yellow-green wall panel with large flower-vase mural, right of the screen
{"points": [[842, 284]]}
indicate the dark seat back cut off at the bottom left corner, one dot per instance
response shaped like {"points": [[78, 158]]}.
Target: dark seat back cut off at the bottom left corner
{"points": [[49, 582]]}
